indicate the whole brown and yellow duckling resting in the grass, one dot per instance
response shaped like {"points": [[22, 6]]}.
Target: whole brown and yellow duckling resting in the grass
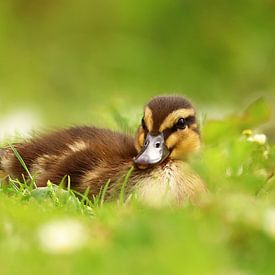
{"points": [[157, 156]]}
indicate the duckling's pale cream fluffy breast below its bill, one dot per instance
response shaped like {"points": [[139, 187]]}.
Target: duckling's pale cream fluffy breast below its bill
{"points": [[173, 183]]}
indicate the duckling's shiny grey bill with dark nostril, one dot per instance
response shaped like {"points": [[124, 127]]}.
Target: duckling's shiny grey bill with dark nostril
{"points": [[154, 151]]}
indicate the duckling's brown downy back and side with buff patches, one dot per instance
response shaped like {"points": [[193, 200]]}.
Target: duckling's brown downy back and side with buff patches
{"points": [[86, 154]]}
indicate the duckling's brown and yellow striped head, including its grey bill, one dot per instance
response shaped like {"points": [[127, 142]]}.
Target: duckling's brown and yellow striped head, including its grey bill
{"points": [[168, 130]]}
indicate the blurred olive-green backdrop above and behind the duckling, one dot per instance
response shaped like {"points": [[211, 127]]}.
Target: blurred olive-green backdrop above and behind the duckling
{"points": [[71, 61]]}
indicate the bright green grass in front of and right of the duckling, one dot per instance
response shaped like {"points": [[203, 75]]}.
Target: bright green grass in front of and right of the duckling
{"points": [[232, 232]]}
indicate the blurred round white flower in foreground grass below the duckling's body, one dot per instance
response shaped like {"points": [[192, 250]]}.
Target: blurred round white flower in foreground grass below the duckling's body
{"points": [[62, 236]]}
